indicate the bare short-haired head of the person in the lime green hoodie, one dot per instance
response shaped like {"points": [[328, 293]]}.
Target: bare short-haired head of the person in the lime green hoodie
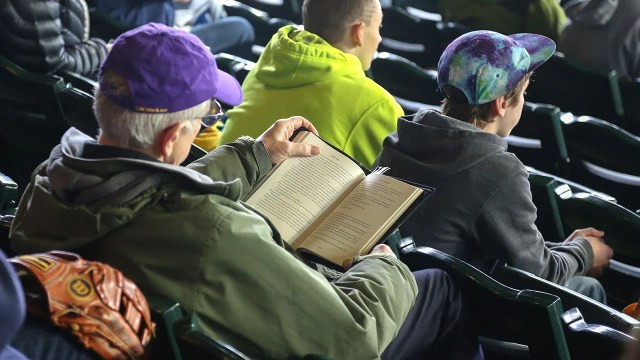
{"points": [[352, 26]]}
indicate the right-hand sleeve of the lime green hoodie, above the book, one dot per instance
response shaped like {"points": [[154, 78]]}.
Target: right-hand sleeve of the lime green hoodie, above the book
{"points": [[365, 140]]}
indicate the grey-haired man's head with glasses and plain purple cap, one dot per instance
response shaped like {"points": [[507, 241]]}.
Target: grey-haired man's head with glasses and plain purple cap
{"points": [[155, 89]]}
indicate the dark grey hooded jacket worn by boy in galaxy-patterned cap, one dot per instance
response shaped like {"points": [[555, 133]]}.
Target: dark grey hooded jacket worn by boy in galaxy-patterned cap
{"points": [[482, 210]]}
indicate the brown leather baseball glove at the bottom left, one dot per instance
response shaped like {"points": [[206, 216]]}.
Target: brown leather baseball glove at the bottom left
{"points": [[102, 308]]}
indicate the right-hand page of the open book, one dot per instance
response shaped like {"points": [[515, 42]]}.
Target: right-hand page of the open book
{"points": [[357, 224]]}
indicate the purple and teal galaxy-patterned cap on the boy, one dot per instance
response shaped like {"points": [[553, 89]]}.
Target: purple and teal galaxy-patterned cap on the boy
{"points": [[485, 65]]}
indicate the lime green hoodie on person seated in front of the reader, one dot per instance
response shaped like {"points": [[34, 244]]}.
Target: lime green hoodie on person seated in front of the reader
{"points": [[301, 74]]}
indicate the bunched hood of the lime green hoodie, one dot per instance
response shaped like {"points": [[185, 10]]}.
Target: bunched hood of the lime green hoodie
{"points": [[298, 63]]}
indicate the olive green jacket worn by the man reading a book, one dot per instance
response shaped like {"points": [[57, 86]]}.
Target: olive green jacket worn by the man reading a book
{"points": [[183, 232]]}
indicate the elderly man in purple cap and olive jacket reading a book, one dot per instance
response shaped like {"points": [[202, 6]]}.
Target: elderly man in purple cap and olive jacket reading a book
{"points": [[183, 231]]}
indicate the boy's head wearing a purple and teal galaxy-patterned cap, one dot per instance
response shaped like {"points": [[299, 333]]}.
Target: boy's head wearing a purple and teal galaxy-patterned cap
{"points": [[484, 74]]}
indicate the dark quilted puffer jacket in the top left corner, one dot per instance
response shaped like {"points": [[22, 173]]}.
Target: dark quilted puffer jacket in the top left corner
{"points": [[48, 36]]}
